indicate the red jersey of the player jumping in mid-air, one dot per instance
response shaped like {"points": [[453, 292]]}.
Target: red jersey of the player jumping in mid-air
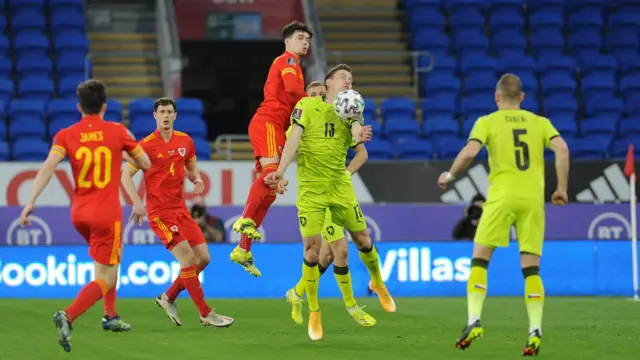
{"points": [[283, 89]]}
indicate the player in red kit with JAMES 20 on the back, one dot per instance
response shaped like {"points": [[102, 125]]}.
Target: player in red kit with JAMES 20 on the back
{"points": [[95, 151]]}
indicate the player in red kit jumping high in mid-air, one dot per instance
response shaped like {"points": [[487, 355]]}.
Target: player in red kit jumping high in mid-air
{"points": [[282, 91]]}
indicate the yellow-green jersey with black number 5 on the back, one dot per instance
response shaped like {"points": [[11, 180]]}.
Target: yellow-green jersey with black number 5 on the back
{"points": [[516, 140]]}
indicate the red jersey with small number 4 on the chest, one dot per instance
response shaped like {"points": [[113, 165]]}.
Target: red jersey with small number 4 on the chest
{"points": [[165, 178]]}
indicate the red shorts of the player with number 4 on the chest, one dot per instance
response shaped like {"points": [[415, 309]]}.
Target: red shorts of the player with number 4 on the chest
{"points": [[175, 228]]}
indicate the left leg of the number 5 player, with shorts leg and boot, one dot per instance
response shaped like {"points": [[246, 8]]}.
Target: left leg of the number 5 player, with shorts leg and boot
{"points": [[493, 231]]}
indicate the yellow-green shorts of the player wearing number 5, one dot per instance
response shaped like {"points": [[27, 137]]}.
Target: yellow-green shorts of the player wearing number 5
{"points": [[499, 216]]}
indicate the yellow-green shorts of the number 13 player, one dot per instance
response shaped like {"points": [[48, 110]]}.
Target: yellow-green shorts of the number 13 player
{"points": [[338, 198]]}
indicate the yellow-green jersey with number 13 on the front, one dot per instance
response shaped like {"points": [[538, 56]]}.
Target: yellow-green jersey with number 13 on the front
{"points": [[324, 144]]}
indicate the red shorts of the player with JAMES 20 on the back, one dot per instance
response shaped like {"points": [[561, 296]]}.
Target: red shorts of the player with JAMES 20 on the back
{"points": [[104, 239]]}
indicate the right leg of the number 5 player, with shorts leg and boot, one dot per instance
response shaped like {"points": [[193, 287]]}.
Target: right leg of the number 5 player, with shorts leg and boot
{"points": [[530, 224]]}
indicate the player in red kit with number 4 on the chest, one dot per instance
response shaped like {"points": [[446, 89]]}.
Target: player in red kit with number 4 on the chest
{"points": [[170, 152]]}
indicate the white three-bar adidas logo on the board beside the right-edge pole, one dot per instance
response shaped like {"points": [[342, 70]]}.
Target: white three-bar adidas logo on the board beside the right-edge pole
{"points": [[610, 187]]}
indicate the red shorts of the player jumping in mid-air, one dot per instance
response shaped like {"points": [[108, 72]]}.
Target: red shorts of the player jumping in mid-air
{"points": [[267, 138]]}
